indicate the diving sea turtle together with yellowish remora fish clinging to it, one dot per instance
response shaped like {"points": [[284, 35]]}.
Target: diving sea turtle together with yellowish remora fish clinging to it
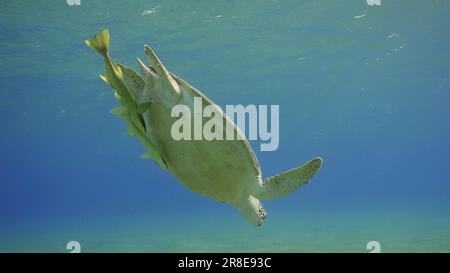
{"points": [[224, 170]]}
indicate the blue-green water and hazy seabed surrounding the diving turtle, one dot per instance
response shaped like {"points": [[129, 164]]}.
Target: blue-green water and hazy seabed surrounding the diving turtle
{"points": [[364, 87]]}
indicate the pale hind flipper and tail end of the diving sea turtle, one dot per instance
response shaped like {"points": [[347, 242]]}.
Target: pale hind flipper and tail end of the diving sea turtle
{"points": [[158, 79]]}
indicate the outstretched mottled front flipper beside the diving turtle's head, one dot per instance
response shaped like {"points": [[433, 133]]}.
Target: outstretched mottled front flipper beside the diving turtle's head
{"points": [[280, 185]]}
